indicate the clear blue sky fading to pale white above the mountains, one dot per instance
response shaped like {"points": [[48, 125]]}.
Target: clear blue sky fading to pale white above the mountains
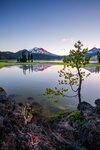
{"points": [[51, 24]]}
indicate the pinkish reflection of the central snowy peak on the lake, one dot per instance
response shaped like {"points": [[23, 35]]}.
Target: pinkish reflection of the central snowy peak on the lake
{"points": [[35, 68]]}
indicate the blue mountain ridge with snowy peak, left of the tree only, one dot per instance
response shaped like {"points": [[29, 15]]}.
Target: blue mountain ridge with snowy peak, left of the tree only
{"points": [[38, 54]]}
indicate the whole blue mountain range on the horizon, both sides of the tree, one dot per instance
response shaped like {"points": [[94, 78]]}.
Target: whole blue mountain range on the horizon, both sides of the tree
{"points": [[42, 54]]}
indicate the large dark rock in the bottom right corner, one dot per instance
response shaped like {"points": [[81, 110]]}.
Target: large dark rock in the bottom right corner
{"points": [[90, 135]]}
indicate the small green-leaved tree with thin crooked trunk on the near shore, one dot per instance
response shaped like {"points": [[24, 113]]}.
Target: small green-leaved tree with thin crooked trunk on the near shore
{"points": [[76, 59]]}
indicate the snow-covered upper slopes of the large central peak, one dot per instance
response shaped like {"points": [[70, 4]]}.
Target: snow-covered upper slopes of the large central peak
{"points": [[37, 50]]}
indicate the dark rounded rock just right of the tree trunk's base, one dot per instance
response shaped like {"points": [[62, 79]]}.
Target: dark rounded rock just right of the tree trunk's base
{"points": [[85, 106]]}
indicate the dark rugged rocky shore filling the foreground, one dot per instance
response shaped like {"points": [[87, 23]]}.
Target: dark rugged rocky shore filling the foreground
{"points": [[22, 127]]}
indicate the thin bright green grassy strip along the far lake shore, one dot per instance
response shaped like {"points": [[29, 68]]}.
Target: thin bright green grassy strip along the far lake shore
{"points": [[5, 63]]}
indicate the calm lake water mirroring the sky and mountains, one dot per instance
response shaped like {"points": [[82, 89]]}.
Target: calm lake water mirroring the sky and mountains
{"points": [[28, 83]]}
